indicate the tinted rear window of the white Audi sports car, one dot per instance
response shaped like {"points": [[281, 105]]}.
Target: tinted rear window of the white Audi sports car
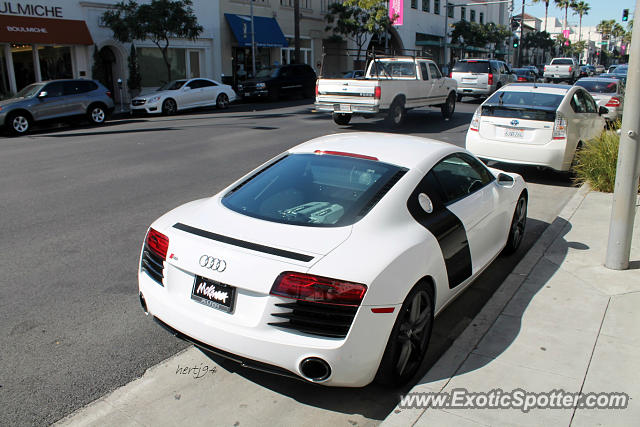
{"points": [[314, 190]]}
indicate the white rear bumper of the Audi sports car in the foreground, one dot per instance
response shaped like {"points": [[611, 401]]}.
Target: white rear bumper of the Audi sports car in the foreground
{"points": [[353, 360]]}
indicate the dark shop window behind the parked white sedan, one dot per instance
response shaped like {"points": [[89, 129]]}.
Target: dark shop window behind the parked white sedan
{"points": [[154, 70]]}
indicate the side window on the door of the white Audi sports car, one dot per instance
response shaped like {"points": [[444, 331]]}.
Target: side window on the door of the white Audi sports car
{"points": [[460, 175]]}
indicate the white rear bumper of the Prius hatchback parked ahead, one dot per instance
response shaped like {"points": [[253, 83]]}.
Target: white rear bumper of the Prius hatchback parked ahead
{"points": [[556, 154]]}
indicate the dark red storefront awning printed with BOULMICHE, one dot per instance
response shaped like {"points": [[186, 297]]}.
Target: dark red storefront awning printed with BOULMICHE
{"points": [[21, 29]]}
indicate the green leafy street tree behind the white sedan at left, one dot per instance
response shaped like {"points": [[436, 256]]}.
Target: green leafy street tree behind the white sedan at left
{"points": [[157, 21]]}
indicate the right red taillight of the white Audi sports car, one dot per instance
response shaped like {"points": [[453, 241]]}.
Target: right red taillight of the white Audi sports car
{"points": [[311, 288]]}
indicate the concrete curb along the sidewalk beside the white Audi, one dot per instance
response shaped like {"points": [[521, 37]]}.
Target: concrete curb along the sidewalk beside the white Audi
{"points": [[446, 367]]}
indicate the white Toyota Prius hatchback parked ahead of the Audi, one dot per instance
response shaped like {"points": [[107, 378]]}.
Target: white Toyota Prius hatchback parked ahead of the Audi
{"points": [[535, 124]]}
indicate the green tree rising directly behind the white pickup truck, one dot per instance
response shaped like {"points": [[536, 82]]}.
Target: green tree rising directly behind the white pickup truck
{"points": [[357, 19]]}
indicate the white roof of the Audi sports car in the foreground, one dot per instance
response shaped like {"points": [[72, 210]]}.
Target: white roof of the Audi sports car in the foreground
{"points": [[400, 150]]}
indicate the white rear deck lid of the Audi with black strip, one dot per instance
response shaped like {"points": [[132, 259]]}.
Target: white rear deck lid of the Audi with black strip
{"points": [[217, 225]]}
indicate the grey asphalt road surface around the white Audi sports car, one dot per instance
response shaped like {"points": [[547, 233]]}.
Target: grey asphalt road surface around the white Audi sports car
{"points": [[75, 203]]}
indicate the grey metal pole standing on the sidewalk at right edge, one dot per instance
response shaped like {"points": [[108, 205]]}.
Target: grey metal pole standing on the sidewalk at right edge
{"points": [[625, 194]]}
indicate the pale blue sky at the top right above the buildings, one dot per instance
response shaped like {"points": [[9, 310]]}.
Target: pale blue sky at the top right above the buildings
{"points": [[600, 9]]}
